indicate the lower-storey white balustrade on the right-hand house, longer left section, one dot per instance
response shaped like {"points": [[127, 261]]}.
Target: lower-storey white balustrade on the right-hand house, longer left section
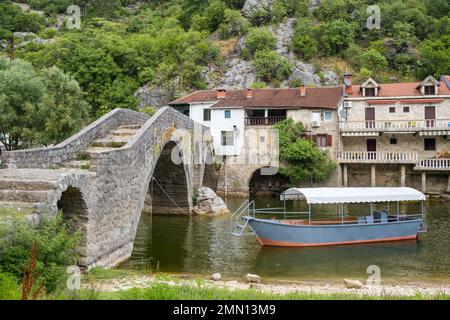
{"points": [[378, 157]]}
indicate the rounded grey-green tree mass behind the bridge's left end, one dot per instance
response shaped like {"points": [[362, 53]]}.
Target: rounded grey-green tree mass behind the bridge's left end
{"points": [[38, 109]]}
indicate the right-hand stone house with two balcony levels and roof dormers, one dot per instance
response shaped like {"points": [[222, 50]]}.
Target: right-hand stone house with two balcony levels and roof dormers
{"points": [[396, 134]]}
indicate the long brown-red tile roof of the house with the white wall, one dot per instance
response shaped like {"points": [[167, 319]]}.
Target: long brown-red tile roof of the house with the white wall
{"points": [[322, 97]]}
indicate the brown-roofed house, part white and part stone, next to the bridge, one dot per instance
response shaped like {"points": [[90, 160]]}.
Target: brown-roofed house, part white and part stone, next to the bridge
{"points": [[241, 121]]}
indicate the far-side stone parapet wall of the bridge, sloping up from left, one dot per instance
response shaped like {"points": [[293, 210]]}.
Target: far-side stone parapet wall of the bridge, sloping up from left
{"points": [[68, 149]]}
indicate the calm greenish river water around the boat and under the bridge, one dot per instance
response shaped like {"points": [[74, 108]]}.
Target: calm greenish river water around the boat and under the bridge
{"points": [[204, 245]]}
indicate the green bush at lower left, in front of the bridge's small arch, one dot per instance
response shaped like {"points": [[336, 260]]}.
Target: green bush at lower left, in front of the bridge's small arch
{"points": [[56, 249]]}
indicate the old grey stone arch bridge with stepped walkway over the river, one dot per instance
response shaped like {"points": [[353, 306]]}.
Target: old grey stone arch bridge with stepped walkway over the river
{"points": [[106, 175]]}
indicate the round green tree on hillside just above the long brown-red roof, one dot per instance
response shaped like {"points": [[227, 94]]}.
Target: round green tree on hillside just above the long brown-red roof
{"points": [[270, 66]]}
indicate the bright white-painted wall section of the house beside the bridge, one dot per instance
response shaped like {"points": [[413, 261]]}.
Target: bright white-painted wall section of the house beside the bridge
{"points": [[219, 123]]}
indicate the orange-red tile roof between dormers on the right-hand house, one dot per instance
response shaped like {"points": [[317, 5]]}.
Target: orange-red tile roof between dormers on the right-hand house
{"points": [[400, 89]]}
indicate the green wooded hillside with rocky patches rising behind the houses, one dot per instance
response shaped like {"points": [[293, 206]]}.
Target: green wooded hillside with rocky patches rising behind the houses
{"points": [[180, 45]]}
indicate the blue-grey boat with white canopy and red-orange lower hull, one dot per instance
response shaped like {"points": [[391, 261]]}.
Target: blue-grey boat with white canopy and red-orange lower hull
{"points": [[378, 226]]}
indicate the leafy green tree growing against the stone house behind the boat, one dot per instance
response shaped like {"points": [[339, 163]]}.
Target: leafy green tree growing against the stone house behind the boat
{"points": [[301, 158]]}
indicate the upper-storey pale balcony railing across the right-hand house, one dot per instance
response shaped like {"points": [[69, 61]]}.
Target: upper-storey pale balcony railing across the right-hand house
{"points": [[395, 125]]}
